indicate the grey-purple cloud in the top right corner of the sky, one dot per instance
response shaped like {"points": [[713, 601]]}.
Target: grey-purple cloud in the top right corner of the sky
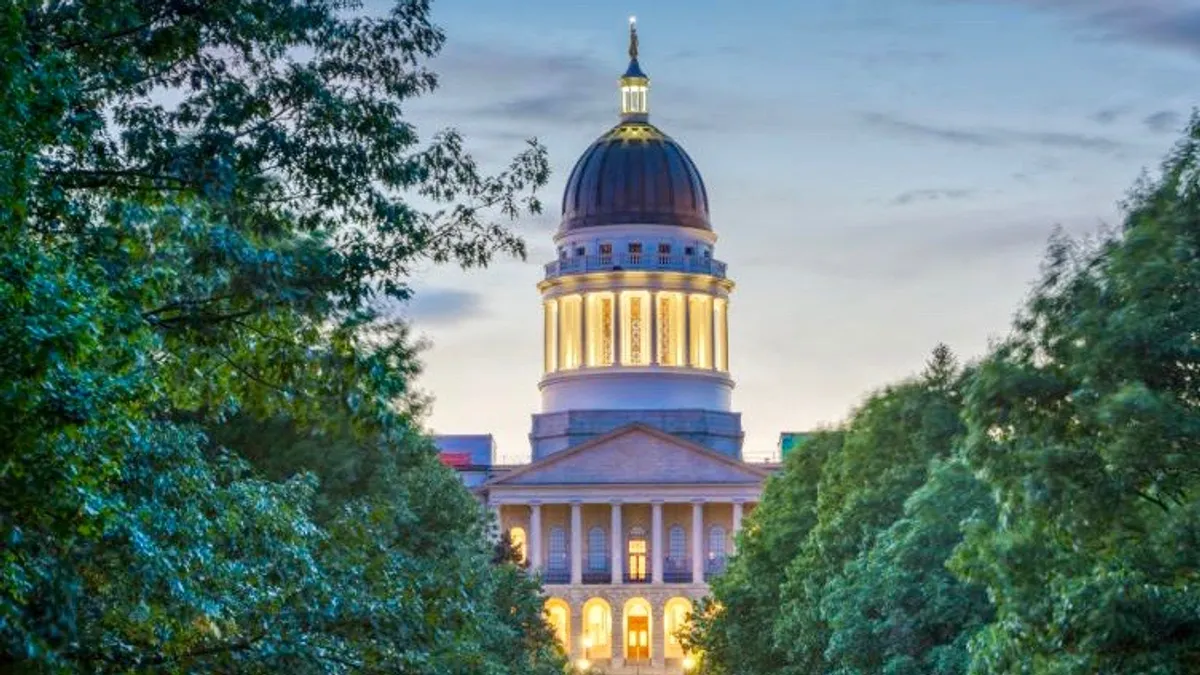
{"points": [[1161, 23]]}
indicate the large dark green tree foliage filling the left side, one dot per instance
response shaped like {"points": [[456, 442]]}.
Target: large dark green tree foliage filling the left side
{"points": [[212, 458]]}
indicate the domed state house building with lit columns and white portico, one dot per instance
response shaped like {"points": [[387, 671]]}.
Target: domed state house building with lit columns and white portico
{"points": [[637, 485]]}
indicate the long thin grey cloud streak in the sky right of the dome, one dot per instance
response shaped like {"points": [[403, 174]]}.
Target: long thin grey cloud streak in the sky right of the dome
{"points": [[995, 138]]}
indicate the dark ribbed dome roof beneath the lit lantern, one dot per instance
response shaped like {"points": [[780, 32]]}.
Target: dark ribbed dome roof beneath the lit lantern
{"points": [[635, 175]]}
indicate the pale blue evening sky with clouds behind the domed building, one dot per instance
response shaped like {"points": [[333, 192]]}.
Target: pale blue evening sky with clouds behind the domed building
{"points": [[884, 175]]}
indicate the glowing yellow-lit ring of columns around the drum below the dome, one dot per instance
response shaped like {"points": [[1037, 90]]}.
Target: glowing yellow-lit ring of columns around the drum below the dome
{"points": [[637, 328]]}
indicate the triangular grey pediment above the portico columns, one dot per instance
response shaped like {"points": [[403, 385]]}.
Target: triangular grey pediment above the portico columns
{"points": [[635, 455]]}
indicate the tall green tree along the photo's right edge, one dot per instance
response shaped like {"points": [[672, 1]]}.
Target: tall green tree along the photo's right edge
{"points": [[1087, 425]]}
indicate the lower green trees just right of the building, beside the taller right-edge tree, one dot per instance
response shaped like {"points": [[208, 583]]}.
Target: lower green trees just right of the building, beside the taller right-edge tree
{"points": [[805, 593]]}
